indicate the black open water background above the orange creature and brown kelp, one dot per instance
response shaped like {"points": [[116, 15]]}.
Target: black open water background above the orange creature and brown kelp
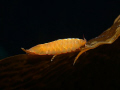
{"points": [[28, 23]]}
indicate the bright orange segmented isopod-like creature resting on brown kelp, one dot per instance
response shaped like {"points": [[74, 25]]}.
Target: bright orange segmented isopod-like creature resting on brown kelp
{"points": [[57, 47]]}
